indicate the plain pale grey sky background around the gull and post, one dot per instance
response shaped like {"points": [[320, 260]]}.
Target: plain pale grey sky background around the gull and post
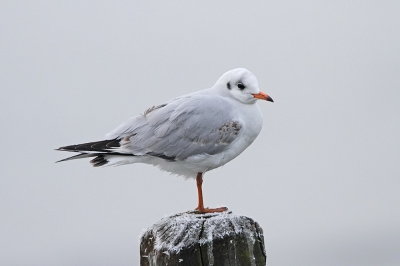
{"points": [[322, 178]]}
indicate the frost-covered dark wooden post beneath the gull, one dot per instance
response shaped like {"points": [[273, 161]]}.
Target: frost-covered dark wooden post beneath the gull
{"points": [[203, 239]]}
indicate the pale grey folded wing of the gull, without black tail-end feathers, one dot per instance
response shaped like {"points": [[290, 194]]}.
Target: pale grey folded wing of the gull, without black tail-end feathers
{"points": [[184, 127]]}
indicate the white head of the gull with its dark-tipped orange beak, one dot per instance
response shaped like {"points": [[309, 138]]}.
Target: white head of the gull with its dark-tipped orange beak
{"points": [[242, 85]]}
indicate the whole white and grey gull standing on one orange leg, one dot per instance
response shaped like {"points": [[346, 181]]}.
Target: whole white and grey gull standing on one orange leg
{"points": [[189, 135]]}
